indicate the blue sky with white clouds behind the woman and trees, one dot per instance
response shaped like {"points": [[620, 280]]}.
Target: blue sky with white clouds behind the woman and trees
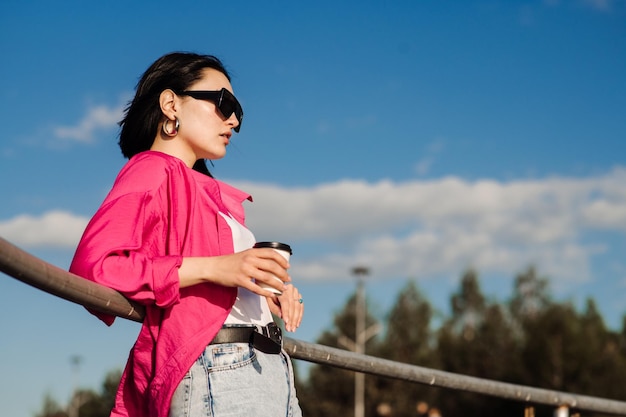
{"points": [[416, 138]]}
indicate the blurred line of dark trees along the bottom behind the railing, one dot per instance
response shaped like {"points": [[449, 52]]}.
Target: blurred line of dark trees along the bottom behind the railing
{"points": [[529, 339]]}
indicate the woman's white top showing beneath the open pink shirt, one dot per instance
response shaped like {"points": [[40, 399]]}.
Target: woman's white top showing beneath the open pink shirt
{"points": [[249, 308]]}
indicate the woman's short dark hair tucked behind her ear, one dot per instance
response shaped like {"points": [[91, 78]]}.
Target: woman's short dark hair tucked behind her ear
{"points": [[176, 71]]}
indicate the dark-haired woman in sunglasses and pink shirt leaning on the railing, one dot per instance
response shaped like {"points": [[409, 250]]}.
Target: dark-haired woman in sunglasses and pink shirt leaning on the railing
{"points": [[171, 237]]}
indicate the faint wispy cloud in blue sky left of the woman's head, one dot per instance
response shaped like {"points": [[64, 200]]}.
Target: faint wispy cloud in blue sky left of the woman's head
{"points": [[98, 117]]}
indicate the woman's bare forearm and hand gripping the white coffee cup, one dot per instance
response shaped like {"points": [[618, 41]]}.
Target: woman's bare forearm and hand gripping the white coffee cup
{"points": [[242, 269]]}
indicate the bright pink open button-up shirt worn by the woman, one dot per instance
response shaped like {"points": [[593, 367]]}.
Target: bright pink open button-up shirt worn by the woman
{"points": [[159, 211]]}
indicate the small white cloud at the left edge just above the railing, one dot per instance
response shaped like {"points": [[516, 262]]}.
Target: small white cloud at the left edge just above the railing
{"points": [[52, 229]]}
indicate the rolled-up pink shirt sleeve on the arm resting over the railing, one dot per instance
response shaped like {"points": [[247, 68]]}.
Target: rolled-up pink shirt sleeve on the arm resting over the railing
{"points": [[122, 248]]}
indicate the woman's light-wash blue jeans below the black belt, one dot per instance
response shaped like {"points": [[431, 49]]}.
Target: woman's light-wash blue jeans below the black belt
{"points": [[234, 379]]}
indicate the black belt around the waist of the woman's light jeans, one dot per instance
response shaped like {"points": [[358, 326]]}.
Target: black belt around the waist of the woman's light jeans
{"points": [[267, 339]]}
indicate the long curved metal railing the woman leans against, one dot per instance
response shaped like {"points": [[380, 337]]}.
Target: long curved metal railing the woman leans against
{"points": [[49, 278]]}
